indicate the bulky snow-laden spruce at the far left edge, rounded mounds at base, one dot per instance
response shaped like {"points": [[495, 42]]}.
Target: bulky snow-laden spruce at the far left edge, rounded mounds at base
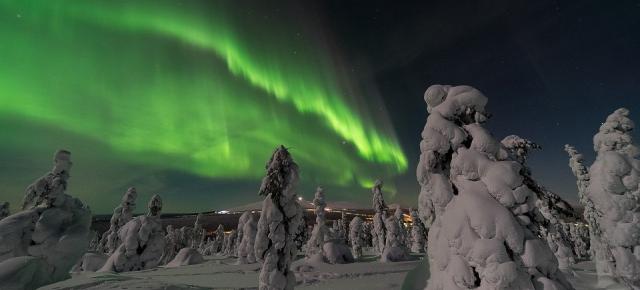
{"points": [[41, 243]]}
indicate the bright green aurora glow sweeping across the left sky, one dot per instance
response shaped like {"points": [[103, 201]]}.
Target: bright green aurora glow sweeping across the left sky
{"points": [[199, 87]]}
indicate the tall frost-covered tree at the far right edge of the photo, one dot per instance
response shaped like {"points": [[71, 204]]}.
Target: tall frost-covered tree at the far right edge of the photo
{"points": [[611, 194]]}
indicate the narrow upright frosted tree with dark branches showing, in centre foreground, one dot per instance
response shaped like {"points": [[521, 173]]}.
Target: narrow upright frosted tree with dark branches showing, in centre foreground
{"points": [[279, 219]]}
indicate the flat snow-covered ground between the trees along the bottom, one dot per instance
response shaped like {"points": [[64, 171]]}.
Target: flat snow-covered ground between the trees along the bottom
{"points": [[223, 273]]}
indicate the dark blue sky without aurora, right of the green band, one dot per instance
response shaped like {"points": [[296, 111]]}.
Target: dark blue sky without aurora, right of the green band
{"points": [[553, 70]]}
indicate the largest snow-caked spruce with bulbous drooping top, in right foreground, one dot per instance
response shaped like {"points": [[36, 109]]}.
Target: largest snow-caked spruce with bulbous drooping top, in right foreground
{"points": [[482, 232]]}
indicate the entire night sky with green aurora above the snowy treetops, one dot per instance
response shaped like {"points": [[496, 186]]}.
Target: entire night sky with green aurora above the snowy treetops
{"points": [[188, 99]]}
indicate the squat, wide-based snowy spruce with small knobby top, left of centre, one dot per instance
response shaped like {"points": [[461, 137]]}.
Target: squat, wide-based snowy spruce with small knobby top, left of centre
{"points": [[143, 242]]}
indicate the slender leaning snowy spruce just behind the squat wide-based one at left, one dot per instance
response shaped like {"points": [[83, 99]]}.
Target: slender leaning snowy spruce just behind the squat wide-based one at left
{"points": [[122, 214]]}
